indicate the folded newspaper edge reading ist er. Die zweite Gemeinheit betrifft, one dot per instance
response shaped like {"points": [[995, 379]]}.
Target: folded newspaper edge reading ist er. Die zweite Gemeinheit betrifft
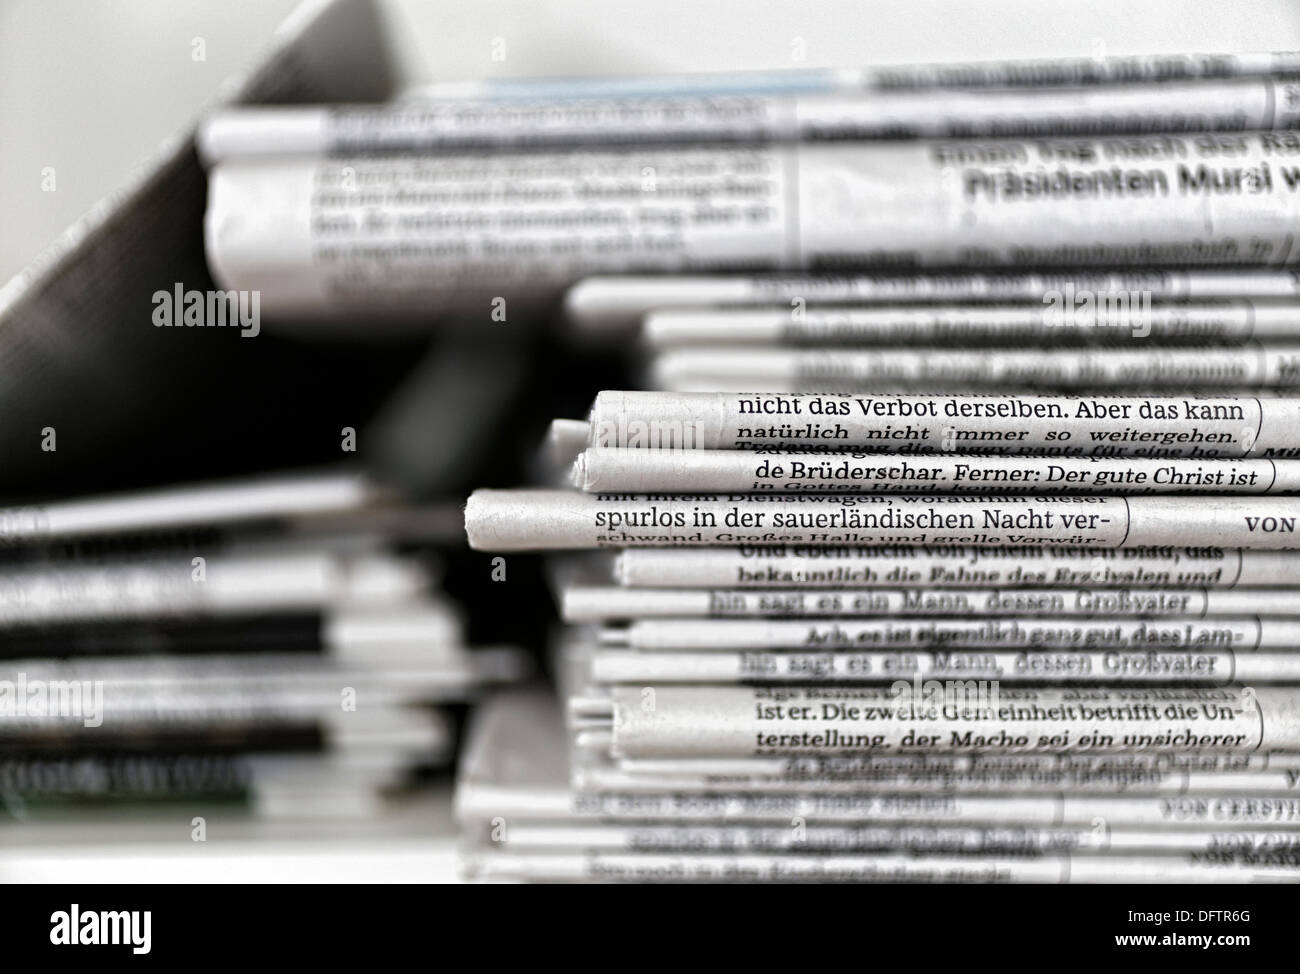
{"points": [[738, 722]]}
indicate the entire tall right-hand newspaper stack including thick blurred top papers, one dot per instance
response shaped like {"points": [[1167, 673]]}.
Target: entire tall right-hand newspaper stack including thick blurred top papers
{"points": [[951, 538]]}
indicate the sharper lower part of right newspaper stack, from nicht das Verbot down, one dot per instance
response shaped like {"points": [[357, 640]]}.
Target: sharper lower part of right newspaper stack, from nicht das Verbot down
{"points": [[896, 661]]}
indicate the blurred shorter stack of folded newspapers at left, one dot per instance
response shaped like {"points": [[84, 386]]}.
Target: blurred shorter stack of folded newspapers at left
{"points": [[227, 656]]}
